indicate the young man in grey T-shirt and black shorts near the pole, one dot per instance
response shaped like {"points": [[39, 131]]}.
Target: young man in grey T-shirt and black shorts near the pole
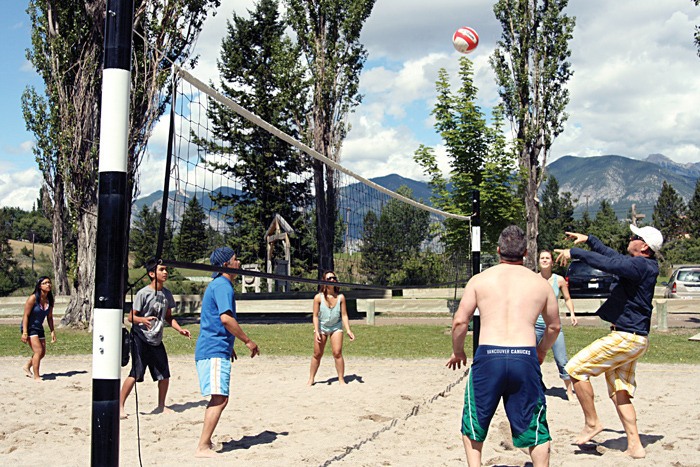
{"points": [[152, 308]]}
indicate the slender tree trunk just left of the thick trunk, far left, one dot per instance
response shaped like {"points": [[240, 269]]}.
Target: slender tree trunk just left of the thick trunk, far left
{"points": [[58, 208]]}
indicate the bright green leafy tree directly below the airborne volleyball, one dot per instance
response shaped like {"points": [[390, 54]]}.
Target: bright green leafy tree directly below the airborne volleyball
{"points": [[478, 161]]}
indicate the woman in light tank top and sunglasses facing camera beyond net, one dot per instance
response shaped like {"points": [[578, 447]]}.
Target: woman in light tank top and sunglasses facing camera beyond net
{"points": [[330, 316]]}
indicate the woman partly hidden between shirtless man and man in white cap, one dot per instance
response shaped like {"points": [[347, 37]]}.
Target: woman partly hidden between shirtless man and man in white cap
{"points": [[560, 288]]}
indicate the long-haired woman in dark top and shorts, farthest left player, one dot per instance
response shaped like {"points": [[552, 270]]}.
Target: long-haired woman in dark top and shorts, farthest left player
{"points": [[37, 308]]}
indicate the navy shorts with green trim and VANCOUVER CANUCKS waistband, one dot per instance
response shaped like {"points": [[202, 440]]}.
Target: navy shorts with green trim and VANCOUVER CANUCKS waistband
{"points": [[513, 374]]}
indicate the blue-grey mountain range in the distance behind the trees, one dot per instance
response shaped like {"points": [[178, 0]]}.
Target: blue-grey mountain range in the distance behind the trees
{"points": [[621, 181]]}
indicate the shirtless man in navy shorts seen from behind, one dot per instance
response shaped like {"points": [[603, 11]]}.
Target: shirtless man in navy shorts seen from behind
{"points": [[506, 364]]}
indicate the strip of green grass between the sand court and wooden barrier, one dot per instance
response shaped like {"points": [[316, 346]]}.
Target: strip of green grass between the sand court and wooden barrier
{"points": [[400, 341]]}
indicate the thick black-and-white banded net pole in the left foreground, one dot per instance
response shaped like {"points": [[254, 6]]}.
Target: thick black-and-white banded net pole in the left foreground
{"points": [[111, 233]]}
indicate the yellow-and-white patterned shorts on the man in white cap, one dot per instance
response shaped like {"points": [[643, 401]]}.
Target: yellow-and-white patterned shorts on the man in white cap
{"points": [[615, 355]]}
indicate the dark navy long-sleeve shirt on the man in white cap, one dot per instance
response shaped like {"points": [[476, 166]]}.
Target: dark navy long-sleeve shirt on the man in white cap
{"points": [[629, 306]]}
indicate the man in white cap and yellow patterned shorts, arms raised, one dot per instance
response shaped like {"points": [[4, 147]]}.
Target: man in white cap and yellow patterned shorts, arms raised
{"points": [[629, 311]]}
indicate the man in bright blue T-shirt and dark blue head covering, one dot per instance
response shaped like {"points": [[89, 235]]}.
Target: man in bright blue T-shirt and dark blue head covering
{"points": [[214, 350]]}
